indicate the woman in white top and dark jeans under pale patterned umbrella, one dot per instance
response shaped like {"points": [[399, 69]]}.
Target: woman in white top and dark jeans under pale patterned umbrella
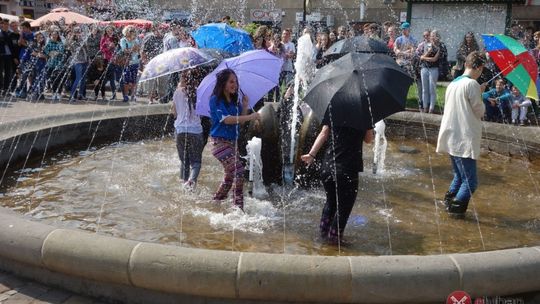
{"points": [[189, 131]]}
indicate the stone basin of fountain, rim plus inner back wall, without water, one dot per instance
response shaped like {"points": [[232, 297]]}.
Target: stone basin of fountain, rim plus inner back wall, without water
{"points": [[142, 272]]}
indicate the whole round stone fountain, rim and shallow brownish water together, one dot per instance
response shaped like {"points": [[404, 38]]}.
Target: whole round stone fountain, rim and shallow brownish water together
{"points": [[65, 189]]}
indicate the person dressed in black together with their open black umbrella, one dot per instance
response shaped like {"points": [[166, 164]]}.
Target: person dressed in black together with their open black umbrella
{"points": [[350, 95]]}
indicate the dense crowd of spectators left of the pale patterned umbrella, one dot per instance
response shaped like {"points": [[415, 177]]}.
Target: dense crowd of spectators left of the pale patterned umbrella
{"points": [[62, 59]]}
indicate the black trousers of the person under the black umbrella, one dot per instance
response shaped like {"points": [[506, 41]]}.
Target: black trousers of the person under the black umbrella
{"points": [[341, 194]]}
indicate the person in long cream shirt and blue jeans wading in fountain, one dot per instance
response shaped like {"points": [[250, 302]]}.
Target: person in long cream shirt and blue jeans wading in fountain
{"points": [[461, 132]]}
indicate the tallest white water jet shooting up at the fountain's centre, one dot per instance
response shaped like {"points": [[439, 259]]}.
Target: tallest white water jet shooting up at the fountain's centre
{"points": [[305, 70]]}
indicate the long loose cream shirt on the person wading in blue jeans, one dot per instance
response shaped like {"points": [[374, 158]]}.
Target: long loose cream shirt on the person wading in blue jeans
{"points": [[461, 126]]}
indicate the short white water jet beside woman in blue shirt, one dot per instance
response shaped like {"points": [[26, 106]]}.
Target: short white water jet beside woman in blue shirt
{"points": [[253, 148]]}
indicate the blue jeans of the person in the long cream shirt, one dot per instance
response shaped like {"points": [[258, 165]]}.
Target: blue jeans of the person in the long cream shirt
{"points": [[465, 178]]}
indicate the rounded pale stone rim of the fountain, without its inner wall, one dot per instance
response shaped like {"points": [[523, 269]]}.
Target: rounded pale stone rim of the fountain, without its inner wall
{"points": [[256, 276]]}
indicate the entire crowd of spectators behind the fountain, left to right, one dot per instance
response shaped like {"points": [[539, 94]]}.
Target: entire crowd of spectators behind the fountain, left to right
{"points": [[61, 59]]}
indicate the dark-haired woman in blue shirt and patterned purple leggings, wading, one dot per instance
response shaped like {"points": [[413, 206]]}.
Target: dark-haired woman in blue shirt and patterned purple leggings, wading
{"points": [[227, 115]]}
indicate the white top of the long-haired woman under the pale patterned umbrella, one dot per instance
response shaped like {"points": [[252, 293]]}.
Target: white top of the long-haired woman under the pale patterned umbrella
{"points": [[186, 119]]}
